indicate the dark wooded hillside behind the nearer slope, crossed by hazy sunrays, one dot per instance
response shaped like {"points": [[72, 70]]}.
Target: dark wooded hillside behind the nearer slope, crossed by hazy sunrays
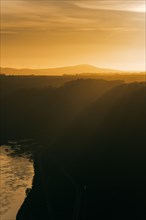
{"points": [[44, 113]]}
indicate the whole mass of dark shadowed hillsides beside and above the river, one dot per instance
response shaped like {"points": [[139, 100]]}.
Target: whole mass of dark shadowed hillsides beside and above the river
{"points": [[92, 163]]}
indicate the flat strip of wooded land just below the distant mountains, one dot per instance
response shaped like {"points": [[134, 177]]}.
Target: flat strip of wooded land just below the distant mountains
{"points": [[10, 83]]}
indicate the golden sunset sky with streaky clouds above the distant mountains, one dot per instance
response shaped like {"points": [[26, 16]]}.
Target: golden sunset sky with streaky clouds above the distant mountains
{"points": [[43, 34]]}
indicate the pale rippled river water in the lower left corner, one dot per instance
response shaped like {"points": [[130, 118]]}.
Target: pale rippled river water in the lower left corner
{"points": [[16, 175]]}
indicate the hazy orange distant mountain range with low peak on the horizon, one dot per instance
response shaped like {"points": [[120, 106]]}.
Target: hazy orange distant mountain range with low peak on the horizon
{"points": [[68, 70]]}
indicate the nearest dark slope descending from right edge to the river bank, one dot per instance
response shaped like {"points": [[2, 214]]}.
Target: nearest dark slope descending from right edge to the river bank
{"points": [[96, 170]]}
